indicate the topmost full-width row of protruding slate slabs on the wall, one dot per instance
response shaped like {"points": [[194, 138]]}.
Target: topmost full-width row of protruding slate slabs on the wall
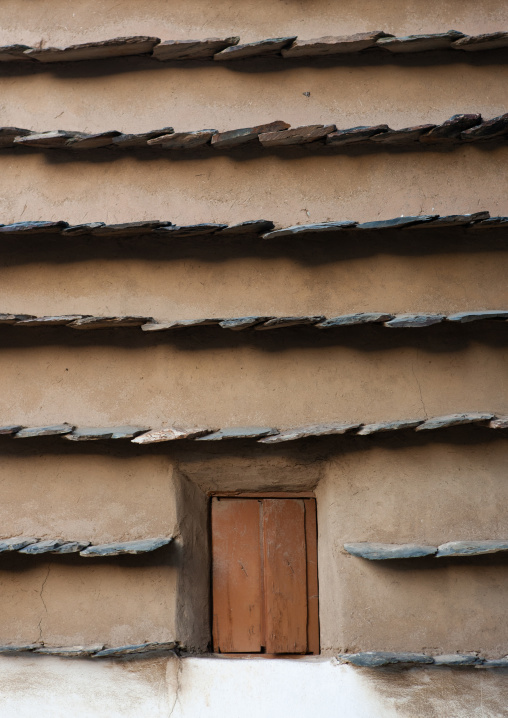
{"points": [[228, 48]]}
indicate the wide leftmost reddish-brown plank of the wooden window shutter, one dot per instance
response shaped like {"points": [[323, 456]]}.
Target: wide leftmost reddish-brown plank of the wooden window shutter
{"points": [[236, 575]]}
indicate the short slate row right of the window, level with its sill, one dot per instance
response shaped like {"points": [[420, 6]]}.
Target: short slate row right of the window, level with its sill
{"points": [[378, 659]]}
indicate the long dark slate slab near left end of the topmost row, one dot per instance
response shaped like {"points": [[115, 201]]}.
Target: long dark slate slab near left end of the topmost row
{"points": [[117, 47]]}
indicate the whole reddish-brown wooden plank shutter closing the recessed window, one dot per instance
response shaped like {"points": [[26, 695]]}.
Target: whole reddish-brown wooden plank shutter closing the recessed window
{"points": [[264, 575]]}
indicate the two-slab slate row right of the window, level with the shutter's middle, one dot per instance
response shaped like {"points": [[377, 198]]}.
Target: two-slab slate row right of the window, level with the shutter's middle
{"points": [[388, 551]]}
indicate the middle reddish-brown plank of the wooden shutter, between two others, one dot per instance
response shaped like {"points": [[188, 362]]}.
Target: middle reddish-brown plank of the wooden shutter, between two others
{"points": [[285, 575]]}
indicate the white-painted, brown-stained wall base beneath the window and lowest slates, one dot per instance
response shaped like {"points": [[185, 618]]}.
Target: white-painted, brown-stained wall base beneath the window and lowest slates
{"points": [[248, 688]]}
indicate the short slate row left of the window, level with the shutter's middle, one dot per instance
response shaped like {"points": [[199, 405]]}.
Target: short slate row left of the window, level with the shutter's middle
{"points": [[35, 546]]}
